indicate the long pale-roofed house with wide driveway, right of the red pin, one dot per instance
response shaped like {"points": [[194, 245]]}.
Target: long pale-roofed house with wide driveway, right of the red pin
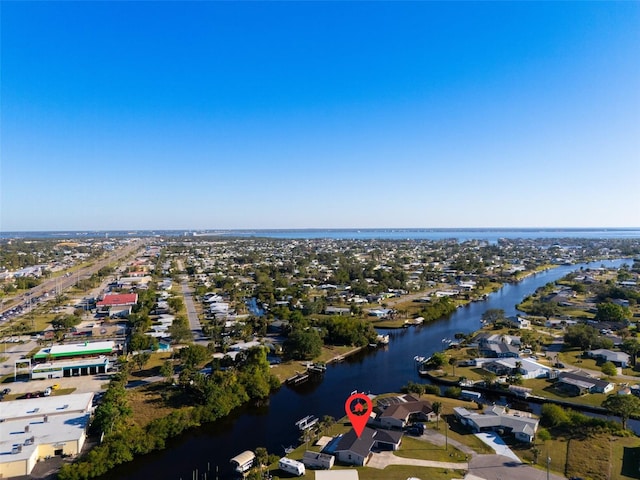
{"points": [[496, 418]]}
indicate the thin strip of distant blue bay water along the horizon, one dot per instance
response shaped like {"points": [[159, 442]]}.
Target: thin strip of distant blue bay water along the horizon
{"points": [[435, 234]]}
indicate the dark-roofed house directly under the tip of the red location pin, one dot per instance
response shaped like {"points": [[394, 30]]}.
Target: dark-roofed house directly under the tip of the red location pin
{"points": [[354, 450]]}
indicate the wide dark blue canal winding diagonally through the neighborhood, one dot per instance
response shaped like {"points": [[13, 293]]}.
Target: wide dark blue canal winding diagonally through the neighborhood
{"points": [[376, 370]]}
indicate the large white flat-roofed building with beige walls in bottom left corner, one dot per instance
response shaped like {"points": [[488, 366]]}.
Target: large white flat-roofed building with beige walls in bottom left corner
{"points": [[38, 428]]}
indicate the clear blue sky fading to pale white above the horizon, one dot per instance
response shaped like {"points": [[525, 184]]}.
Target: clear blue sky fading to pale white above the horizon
{"points": [[205, 115]]}
